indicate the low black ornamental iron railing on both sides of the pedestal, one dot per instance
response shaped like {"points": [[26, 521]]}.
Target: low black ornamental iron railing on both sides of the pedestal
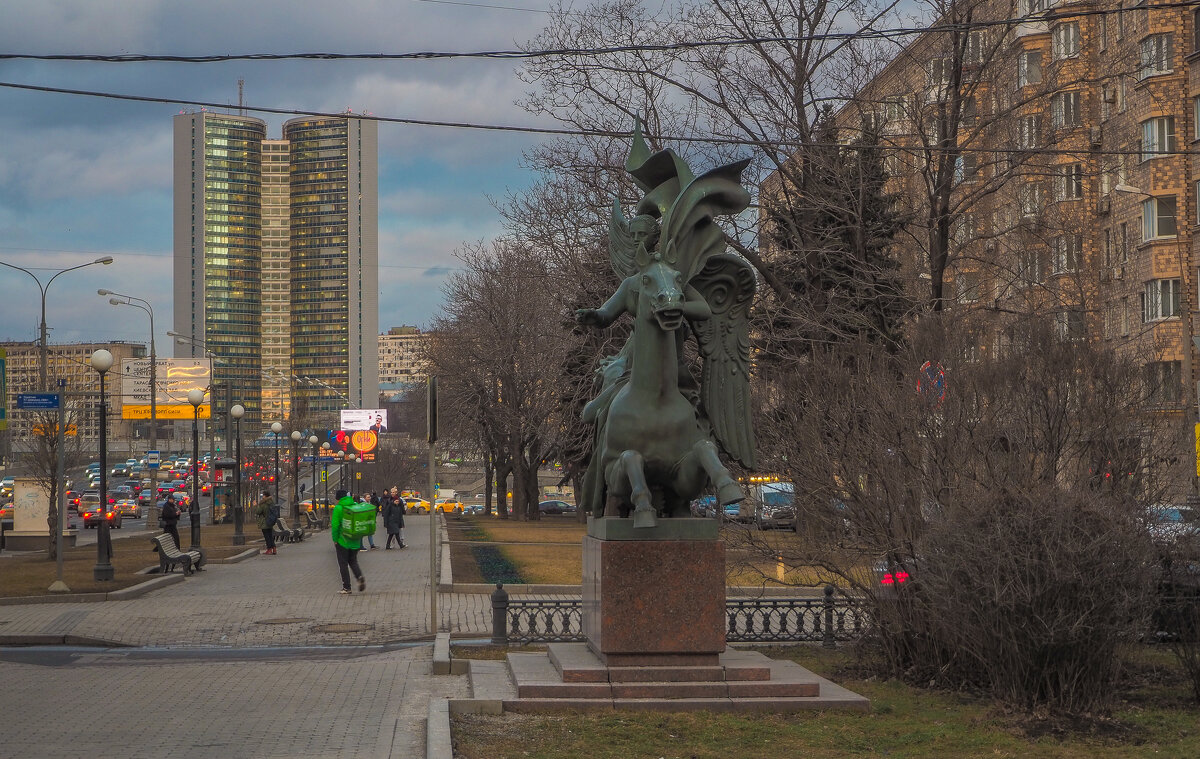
{"points": [[829, 620]]}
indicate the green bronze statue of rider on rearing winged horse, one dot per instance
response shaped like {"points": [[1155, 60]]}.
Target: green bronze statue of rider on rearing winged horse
{"points": [[657, 433]]}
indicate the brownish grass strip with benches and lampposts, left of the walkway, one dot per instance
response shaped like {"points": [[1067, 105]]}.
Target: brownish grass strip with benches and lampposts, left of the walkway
{"points": [[33, 575]]}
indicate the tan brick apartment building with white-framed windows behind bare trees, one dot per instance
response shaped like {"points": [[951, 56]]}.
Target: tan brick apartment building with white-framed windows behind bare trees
{"points": [[1060, 138]]}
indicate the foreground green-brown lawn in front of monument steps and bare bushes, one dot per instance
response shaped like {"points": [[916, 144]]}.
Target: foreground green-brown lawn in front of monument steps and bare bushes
{"points": [[1155, 719]]}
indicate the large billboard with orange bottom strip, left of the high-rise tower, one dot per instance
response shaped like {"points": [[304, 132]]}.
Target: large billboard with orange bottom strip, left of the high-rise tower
{"points": [[175, 378]]}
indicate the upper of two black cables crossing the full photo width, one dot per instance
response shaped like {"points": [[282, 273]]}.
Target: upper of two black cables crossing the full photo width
{"points": [[518, 55]]}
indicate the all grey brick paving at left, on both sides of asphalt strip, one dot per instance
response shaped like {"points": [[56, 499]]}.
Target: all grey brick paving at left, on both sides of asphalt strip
{"points": [[242, 661]]}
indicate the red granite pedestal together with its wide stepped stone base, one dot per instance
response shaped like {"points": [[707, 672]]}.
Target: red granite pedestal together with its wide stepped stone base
{"points": [[655, 621]]}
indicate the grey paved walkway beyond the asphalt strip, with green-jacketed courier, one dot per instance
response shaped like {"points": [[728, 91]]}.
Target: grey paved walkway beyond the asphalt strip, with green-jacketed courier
{"points": [[289, 600]]}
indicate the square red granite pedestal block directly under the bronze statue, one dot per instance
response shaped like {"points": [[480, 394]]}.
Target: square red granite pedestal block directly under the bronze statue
{"points": [[655, 603]]}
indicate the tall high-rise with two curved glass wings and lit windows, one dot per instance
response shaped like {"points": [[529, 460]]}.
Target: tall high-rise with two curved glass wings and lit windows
{"points": [[277, 260]]}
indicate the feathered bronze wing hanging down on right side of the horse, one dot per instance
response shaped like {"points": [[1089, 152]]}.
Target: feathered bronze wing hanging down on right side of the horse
{"points": [[728, 283]]}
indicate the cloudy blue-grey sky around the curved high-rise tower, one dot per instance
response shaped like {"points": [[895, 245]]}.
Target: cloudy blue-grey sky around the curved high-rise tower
{"points": [[85, 177]]}
